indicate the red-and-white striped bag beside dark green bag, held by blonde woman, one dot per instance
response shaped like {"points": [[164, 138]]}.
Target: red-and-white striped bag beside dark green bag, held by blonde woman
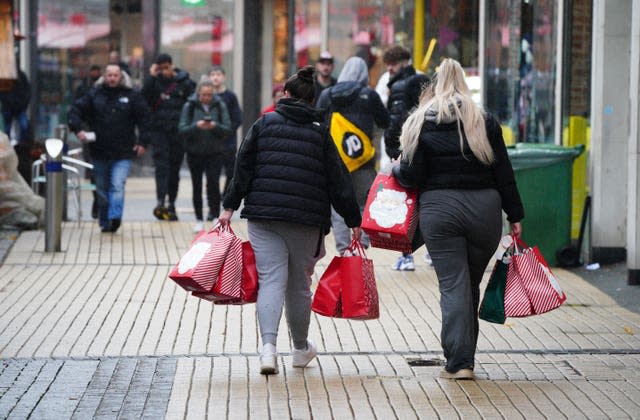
{"points": [[531, 286]]}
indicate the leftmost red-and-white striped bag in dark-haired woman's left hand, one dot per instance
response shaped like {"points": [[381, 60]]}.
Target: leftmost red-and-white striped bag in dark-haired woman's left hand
{"points": [[199, 267]]}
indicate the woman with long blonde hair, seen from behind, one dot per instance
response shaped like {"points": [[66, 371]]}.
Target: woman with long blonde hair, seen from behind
{"points": [[454, 153]]}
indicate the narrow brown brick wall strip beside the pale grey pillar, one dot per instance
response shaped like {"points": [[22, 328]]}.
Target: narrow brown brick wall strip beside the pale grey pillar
{"points": [[580, 82]]}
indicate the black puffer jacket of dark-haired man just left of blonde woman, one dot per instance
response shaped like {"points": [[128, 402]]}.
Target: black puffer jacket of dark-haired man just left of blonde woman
{"points": [[405, 88]]}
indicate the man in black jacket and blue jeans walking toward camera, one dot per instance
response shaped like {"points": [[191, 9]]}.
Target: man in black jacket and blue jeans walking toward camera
{"points": [[112, 110]]}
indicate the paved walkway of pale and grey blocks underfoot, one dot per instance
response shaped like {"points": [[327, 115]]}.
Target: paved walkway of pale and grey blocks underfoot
{"points": [[98, 330]]}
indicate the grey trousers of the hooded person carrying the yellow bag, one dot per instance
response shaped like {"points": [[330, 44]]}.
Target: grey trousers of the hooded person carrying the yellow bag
{"points": [[362, 179]]}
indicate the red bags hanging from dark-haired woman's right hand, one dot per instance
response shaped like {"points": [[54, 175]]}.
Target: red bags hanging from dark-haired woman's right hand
{"points": [[347, 289]]}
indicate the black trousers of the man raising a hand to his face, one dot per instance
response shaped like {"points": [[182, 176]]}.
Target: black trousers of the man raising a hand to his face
{"points": [[168, 153]]}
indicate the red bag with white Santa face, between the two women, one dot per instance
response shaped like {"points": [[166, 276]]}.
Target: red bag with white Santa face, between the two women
{"points": [[391, 214]]}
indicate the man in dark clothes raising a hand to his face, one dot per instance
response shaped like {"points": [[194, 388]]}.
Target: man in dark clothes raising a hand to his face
{"points": [[166, 90]]}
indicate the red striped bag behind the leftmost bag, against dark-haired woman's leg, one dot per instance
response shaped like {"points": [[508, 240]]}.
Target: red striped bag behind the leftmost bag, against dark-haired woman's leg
{"points": [[238, 278]]}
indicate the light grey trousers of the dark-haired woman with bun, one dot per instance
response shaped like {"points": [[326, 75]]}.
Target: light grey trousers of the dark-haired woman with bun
{"points": [[285, 259]]}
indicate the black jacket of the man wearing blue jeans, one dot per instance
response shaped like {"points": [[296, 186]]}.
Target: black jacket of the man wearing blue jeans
{"points": [[113, 114]]}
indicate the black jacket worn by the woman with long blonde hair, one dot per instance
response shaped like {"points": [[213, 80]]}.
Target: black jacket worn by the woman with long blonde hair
{"points": [[439, 164]]}
